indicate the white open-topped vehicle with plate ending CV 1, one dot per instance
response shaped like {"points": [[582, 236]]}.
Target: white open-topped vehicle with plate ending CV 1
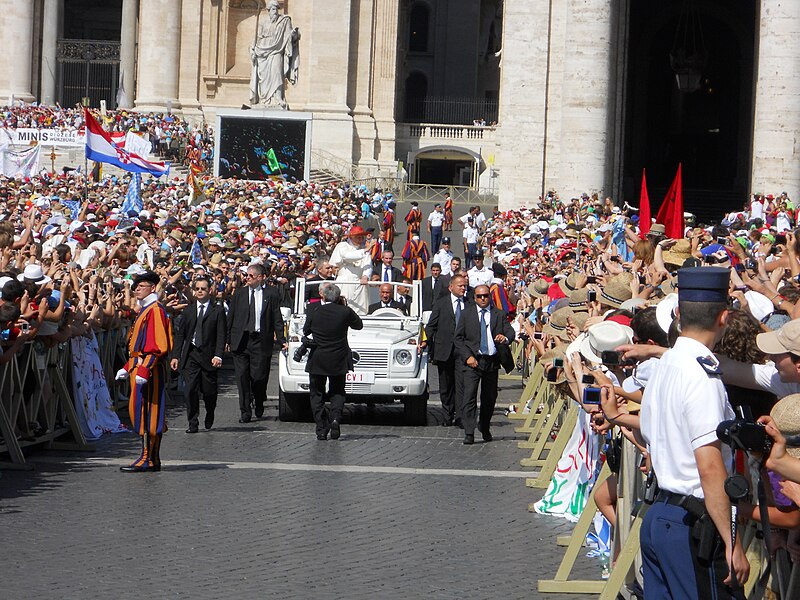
{"points": [[388, 366]]}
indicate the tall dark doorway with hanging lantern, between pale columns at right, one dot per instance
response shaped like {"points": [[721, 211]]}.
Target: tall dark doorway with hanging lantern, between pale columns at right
{"points": [[709, 130]]}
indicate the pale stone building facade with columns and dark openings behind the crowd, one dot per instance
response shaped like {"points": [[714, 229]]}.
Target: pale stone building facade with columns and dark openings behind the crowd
{"points": [[509, 97]]}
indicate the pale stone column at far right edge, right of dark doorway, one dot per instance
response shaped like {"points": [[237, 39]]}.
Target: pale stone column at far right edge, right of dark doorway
{"points": [[776, 144]]}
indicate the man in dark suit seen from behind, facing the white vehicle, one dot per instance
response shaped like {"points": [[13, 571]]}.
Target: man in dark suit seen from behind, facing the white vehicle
{"points": [[330, 357]]}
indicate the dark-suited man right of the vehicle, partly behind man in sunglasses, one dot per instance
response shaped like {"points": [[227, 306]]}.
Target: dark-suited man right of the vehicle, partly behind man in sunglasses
{"points": [[440, 331]]}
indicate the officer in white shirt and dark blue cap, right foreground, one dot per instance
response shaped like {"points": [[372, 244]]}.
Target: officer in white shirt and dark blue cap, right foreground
{"points": [[682, 405]]}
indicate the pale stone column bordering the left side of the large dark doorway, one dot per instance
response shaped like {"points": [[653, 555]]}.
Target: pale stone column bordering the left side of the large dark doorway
{"points": [[587, 99]]}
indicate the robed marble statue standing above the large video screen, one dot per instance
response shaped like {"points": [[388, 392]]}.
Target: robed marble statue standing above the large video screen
{"points": [[275, 56]]}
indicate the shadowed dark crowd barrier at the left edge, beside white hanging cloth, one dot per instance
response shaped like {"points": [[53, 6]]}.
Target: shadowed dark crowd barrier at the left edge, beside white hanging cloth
{"points": [[36, 403]]}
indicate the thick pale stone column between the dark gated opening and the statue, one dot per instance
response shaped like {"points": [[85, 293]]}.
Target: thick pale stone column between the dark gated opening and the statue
{"points": [[159, 54]]}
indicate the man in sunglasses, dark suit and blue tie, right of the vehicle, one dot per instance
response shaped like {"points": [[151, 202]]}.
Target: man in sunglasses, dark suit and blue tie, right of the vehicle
{"points": [[481, 331]]}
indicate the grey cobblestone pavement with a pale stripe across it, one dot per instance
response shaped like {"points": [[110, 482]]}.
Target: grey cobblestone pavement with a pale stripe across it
{"points": [[264, 510]]}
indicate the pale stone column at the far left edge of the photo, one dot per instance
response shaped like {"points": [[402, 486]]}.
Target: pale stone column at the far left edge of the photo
{"points": [[16, 31]]}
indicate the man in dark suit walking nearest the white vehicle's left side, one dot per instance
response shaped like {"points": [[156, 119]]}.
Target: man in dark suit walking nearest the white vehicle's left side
{"points": [[254, 325]]}
